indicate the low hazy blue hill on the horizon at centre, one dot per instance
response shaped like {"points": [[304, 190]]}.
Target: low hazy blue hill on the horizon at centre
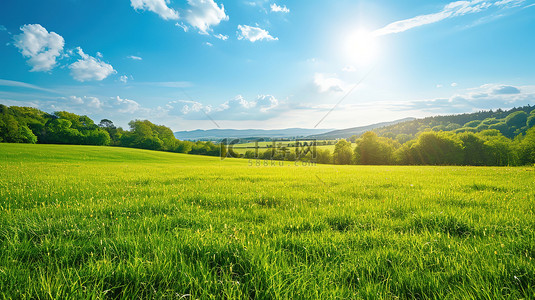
{"points": [[217, 134]]}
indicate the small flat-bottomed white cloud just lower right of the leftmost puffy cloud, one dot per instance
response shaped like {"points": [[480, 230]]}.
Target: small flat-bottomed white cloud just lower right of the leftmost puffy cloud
{"points": [[89, 68]]}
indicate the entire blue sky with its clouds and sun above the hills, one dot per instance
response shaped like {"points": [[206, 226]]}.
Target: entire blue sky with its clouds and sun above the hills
{"points": [[266, 64]]}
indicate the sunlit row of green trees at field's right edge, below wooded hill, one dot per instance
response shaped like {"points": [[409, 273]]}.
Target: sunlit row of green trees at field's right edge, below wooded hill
{"points": [[485, 148]]}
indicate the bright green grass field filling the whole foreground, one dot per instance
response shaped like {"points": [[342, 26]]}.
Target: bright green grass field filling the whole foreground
{"points": [[100, 222]]}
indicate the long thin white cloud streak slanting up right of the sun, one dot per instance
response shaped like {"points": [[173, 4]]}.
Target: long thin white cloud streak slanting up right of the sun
{"points": [[450, 10]]}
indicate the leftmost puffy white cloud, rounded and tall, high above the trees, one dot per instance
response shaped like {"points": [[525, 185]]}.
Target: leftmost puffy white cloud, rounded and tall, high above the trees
{"points": [[41, 47]]}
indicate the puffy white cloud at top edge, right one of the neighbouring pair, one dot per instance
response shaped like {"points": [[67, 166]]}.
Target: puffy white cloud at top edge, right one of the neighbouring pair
{"points": [[203, 14]]}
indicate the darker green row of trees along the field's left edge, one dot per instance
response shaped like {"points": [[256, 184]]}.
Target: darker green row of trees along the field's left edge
{"points": [[30, 125]]}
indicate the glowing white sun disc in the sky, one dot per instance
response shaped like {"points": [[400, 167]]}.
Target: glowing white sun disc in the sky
{"points": [[362, 47]]}
